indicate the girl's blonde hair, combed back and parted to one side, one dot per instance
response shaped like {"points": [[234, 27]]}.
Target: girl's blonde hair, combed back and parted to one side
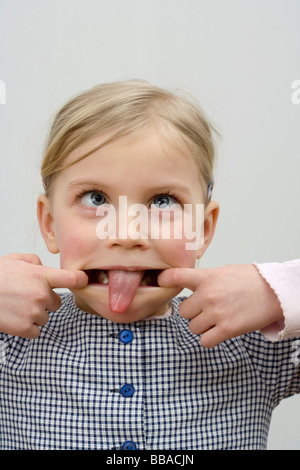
{"points": [[121, 108]]}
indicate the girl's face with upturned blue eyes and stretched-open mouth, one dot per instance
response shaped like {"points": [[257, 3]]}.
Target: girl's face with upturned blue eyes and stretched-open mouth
{"points": [[143, 170]]}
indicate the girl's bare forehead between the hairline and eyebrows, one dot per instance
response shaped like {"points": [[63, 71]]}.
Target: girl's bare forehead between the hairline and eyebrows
{"points": [[138, 158]]}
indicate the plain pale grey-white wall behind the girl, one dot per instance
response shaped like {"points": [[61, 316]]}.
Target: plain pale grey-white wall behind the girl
{"points": [[238, 57]]}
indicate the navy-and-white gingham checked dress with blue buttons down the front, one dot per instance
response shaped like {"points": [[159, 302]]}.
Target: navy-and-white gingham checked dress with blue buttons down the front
{"points": [[62, 390]]}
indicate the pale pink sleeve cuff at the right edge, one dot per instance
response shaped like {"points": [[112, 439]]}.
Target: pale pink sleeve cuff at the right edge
{"points": [[284, 278]]}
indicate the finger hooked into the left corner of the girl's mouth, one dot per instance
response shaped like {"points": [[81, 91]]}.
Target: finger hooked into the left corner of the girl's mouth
{"points": [[65, 278]]}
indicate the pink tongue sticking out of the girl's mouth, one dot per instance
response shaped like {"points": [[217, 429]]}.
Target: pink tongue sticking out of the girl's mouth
{"points": [[122, 288]]}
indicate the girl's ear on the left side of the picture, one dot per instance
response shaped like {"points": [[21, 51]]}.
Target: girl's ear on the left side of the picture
{"points": [[46, 223]]}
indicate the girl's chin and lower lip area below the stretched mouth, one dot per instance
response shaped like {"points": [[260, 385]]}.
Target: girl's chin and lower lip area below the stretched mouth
{"points": [[147, 301]]}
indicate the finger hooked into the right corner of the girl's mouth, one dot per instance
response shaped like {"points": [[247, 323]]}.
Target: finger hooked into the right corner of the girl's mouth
{"points": [[180, 277]]}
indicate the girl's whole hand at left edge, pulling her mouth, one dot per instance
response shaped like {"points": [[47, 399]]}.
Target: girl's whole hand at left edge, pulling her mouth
{"points": [[26, 293]]}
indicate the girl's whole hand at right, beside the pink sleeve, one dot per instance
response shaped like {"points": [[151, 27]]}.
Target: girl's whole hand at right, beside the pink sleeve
{"points": [[226, 302]]}
